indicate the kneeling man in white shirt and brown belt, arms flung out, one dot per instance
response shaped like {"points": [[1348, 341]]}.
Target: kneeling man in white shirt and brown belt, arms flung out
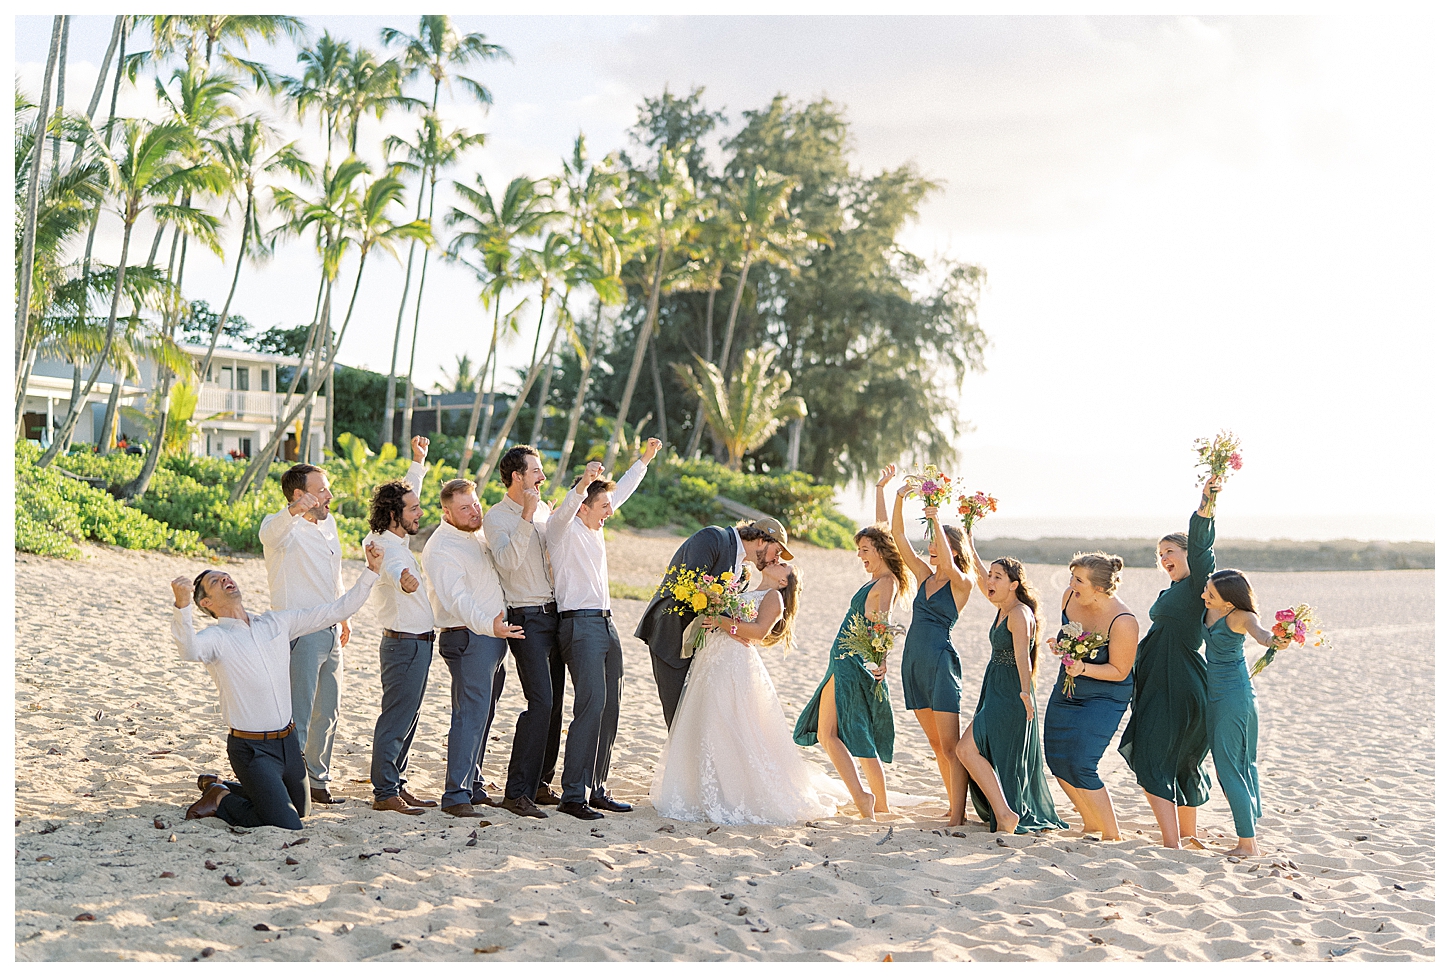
{"points": [[249, 656]]}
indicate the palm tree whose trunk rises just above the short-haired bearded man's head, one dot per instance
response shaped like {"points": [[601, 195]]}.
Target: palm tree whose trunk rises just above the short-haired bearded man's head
{"points": [[491, 231]]}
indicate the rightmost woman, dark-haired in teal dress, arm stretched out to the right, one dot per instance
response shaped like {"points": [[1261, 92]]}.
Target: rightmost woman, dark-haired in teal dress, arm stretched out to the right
{"points": [[1233, 718]]}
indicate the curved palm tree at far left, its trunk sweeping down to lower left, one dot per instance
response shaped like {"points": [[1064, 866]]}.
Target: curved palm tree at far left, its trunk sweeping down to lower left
{"points": [[150, 172]]}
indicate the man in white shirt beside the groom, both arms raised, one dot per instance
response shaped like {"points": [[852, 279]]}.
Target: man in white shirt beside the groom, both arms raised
{"points": [[576, 544]]}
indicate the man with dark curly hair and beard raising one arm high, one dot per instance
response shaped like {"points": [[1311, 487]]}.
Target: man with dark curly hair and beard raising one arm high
{"points": [[408, 636]]}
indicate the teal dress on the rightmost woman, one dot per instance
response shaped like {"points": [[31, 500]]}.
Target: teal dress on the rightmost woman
{"points": [[1233, 724]]}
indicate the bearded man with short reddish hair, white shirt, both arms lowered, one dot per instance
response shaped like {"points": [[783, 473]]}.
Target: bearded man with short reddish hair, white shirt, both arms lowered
{"points": [[471, 615]]}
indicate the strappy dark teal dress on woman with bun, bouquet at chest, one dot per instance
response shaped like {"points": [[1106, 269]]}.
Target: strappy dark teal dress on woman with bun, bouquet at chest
{"points": [[1078, 730]]}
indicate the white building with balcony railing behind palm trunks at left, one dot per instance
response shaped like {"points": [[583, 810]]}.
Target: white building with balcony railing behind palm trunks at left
{"points": [[237, 409]]}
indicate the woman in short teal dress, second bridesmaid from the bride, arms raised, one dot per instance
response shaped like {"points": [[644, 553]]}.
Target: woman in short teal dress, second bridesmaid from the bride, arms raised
{"points": [[932, 670]]}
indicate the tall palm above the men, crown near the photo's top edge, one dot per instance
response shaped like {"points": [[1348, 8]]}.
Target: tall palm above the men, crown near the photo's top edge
{"points": [[436, 50]]}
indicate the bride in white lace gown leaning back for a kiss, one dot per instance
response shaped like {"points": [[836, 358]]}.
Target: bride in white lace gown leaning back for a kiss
{"points": [[730, 757]]}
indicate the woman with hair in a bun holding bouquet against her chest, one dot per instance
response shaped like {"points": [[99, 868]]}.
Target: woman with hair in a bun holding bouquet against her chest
{"points": [[1078, 730]]}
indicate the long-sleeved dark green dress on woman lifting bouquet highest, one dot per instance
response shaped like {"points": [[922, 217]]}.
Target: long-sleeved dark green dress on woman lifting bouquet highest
{"points": [[1167, 739]]}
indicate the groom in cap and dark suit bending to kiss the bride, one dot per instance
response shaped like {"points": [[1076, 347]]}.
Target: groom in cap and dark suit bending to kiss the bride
{"points": [[713, 552]]}
